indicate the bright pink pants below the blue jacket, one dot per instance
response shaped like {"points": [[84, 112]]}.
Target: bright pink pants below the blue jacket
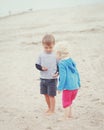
{"points": [[68, 96]]}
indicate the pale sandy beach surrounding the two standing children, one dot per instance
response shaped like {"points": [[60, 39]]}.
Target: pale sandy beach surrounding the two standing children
{"points": [[21, 105]]}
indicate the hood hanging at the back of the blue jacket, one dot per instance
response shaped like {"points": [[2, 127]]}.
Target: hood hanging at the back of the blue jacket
{"points": [[70, 63]]}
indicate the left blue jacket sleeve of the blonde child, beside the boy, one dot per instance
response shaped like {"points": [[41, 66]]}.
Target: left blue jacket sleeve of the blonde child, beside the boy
{"points": [[62, 79]]}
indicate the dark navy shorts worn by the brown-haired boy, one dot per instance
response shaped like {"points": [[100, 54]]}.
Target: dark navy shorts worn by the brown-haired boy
{"points": [[48, 86]]}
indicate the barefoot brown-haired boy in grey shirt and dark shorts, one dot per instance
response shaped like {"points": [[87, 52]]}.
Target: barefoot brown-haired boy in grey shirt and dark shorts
{"points": [[47, 64]]}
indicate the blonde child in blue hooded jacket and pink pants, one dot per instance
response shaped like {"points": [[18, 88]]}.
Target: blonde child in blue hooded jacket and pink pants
{"points": [[69, 80]]}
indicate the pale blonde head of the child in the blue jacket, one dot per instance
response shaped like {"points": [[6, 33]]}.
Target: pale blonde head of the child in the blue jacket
{"points": [[62, 48]]}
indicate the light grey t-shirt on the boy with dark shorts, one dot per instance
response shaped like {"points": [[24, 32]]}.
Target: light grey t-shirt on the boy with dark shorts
{"points": [[49, 61]]}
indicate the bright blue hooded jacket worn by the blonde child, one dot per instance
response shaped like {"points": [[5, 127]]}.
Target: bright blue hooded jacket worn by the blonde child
{"points": [[69, 77]]}
